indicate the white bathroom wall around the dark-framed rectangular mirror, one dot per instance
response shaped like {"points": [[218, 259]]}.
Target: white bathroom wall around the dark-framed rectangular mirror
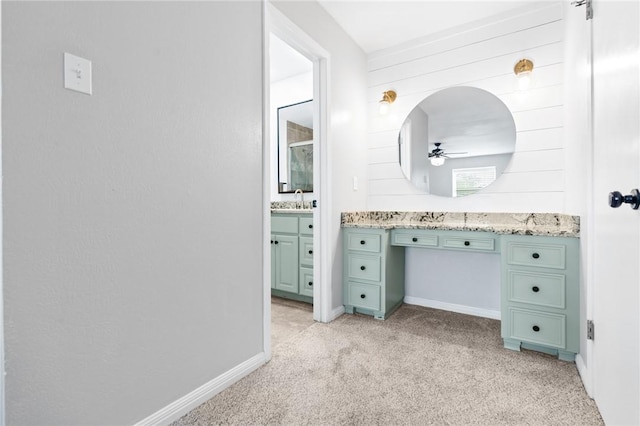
{"points": [[298, 88]]}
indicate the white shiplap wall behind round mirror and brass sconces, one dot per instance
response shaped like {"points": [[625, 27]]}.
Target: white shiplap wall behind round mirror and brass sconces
{"points": [[481, 57]]}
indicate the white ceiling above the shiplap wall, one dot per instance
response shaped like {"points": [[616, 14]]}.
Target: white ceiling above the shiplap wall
{"points": [[376, 25]]}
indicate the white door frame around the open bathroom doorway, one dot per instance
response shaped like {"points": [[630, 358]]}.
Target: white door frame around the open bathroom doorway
{"points": [[277, 23]]}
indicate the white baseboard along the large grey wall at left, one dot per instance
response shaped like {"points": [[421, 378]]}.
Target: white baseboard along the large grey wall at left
{"points": [[182, 406]]}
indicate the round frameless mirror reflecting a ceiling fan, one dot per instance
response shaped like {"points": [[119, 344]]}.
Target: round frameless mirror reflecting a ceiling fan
{"points": [[456, 141]]}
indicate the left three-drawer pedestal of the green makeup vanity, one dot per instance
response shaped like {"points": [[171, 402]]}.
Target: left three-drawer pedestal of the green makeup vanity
{"points": [[373, 272]]}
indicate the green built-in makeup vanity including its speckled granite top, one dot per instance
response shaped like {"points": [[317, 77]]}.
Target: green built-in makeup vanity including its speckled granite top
{"points": [[539, 261]]}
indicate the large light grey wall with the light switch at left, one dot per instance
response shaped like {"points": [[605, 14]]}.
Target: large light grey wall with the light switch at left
{"points": [[132, 243]]}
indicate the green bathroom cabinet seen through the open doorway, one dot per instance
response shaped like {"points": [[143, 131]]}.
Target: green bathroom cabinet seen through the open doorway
{"points": [[292, 256]]}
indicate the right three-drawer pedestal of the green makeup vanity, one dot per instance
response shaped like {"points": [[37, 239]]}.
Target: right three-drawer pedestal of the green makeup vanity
{"points": [[540, 294]]}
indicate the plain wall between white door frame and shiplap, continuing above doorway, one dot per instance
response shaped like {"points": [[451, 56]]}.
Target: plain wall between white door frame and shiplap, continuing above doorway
{"points": [[347, 122]]}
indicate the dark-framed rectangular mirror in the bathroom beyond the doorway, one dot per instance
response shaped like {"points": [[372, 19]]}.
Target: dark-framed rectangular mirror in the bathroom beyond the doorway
{"points": [[295, 147]]}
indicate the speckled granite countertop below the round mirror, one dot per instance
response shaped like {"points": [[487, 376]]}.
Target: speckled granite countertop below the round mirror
{"points": [[550, 224]]}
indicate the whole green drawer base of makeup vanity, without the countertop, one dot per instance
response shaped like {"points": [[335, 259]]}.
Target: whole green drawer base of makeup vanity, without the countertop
{"points": [[540, 282]]}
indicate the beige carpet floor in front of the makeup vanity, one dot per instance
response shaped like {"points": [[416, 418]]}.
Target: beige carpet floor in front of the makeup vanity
{"points": [[419, 367]]}
